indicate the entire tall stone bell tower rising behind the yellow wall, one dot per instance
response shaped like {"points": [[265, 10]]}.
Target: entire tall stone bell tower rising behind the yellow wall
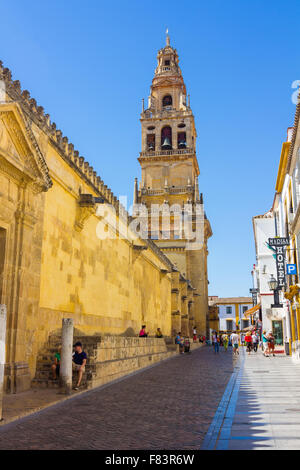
{"points": [[170, 175]]}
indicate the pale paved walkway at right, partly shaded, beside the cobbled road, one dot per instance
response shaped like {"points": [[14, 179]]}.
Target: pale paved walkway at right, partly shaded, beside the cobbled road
{"points": [[260, 408]]}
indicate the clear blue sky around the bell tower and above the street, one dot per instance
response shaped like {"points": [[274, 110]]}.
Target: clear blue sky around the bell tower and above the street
{"points": [[90, 63]]}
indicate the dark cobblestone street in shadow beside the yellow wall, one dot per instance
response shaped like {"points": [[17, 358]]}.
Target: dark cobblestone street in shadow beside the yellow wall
{"points": [[168, 406]]}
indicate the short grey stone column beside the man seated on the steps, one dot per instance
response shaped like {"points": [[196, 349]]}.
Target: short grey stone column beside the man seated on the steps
{"points": [[66, 355]]}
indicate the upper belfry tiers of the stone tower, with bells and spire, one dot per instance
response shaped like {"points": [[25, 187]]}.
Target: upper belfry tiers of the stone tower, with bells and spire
{"points": [[168, 156]]}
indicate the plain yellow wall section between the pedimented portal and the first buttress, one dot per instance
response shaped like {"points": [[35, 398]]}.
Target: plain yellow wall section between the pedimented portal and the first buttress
{"points": [[103, 284]]}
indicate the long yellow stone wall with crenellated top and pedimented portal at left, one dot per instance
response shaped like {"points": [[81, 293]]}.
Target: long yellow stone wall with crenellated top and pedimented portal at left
{"points": [[68, 247]]}
